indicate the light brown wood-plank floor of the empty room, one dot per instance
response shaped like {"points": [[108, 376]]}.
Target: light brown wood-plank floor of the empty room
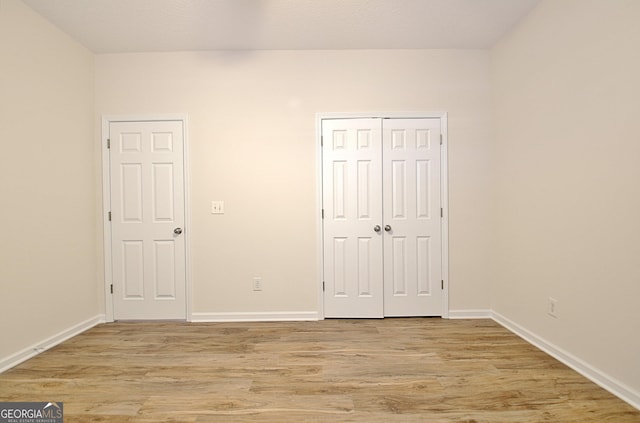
{"points": [[391, 370]]}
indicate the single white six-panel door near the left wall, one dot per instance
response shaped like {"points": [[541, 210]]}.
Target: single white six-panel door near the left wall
{"points": [[147, 219]]}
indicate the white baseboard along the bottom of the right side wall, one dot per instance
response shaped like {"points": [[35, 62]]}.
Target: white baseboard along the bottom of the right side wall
{"points": [[612, 385]]}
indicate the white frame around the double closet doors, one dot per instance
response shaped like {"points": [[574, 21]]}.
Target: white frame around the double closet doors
{"points": [[444, 192]]}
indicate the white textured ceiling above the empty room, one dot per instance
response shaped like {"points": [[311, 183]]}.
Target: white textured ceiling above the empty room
{"points": [[117, 26]]}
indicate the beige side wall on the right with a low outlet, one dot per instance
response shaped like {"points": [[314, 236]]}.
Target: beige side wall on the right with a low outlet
{"points": [[566, 92]]}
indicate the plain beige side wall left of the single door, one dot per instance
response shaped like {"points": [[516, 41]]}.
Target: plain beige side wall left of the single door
{"points": [[47, 184]]}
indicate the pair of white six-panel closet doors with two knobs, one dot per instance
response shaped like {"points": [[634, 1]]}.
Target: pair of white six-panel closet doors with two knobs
{"points": [[382, 232]]}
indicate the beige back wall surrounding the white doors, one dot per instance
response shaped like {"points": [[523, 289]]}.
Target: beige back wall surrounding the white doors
{"points": [[252, 144]]}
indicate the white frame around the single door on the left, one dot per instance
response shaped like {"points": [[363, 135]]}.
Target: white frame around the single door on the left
{"points": [[106, 204]]}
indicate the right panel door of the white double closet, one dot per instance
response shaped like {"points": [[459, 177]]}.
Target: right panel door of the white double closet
{"points": [[412, 219]]}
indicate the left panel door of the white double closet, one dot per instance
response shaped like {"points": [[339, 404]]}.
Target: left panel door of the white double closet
{"points": [[352, 225]]}
